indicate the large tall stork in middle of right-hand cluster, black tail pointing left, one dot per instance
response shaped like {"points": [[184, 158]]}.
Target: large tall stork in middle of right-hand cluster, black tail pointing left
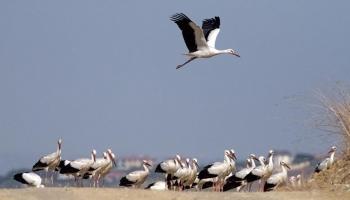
{"points": [[218, 170]]}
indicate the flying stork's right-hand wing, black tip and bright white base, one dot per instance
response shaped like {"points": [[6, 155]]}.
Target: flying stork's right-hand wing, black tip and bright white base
{"points": [[211, 29]]}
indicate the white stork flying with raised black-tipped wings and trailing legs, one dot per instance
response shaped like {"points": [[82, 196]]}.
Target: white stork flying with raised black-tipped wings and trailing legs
{"points": [[200, 41]]}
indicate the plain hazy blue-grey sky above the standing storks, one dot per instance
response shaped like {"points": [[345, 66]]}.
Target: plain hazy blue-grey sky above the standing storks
{"points": [[102, 74]]}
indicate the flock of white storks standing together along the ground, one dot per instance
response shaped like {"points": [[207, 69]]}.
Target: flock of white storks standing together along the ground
{"points": [[179, 174]]}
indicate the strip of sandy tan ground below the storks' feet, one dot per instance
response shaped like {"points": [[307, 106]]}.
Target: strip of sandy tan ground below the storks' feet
{"points": [[130, 194]]}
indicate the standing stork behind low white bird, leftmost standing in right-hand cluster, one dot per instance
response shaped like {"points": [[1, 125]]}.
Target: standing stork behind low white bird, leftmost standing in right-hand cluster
{"points": [[169, 167]]}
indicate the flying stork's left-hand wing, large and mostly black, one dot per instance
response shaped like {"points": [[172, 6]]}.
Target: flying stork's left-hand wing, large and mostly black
{"points": [[192, 34]]}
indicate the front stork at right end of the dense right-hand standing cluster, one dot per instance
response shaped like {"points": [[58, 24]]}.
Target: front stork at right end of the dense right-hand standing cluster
{"points": [[277, 179]]}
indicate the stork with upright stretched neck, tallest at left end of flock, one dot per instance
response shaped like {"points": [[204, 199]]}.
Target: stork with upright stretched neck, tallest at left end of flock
{"points": [[49, 162]]}
